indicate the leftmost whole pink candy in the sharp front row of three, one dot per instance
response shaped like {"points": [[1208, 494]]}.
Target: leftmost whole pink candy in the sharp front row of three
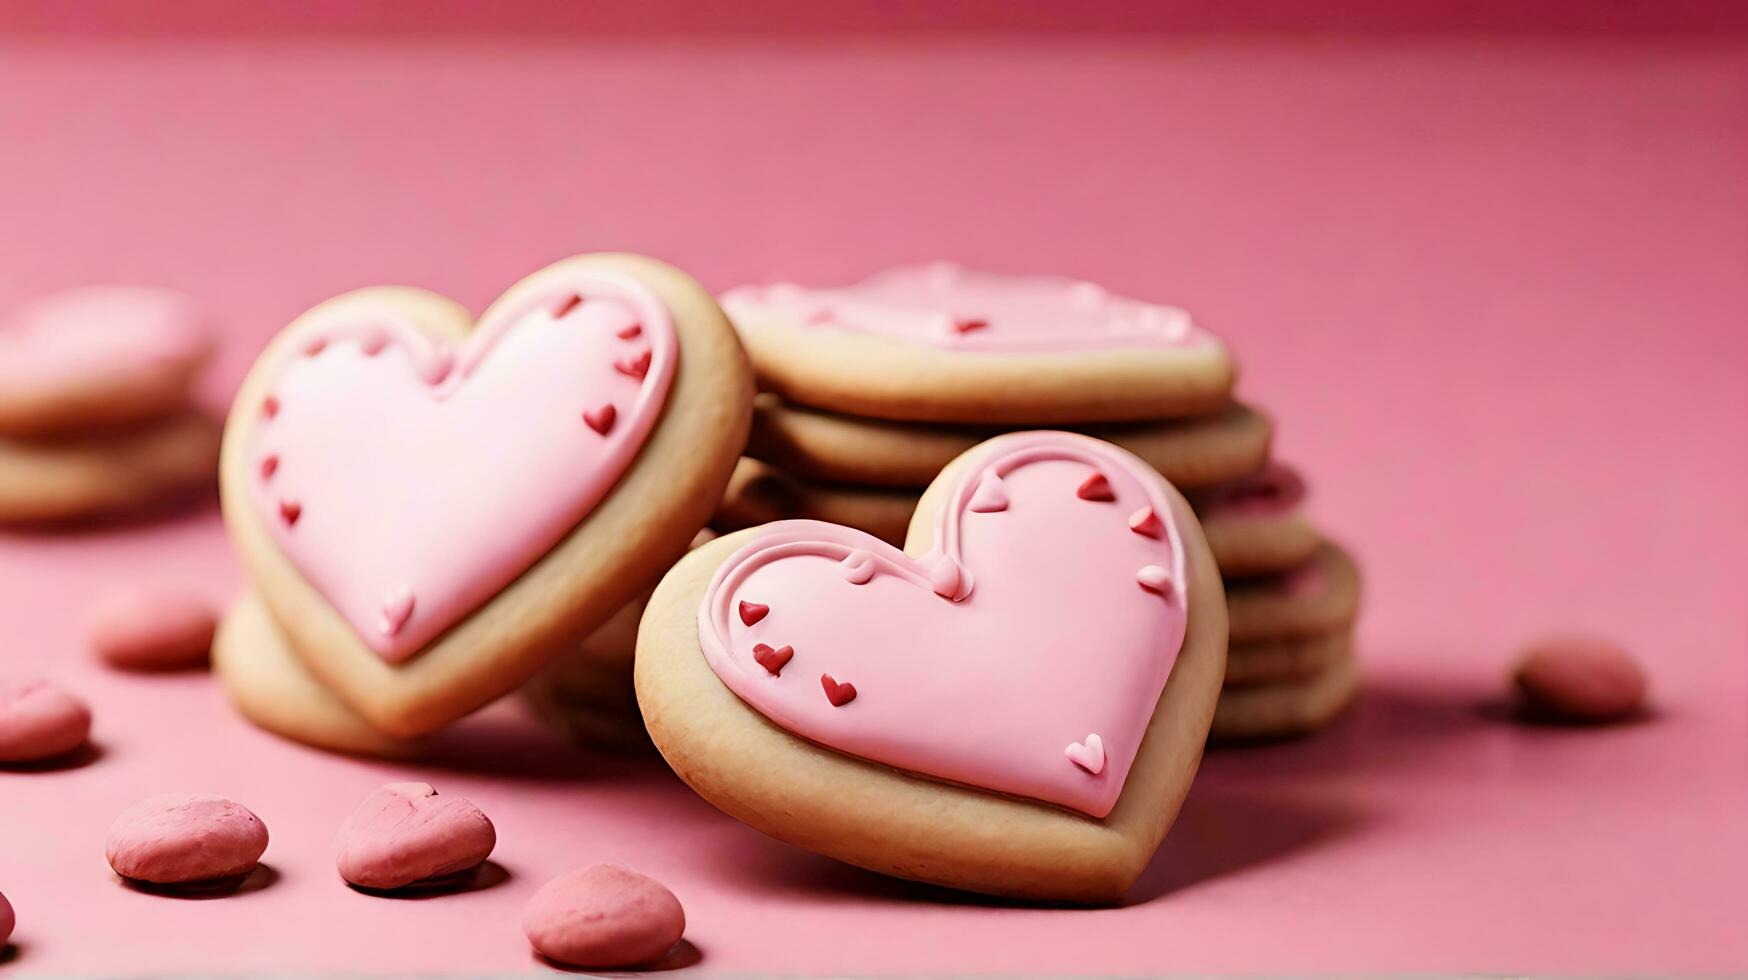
{"points": [[179, 839]]}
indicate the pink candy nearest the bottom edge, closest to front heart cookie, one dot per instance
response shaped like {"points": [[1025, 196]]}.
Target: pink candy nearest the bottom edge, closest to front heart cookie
{"points": [[604, 918]]}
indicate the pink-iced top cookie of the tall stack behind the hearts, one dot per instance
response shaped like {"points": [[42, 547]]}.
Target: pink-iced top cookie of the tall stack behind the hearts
{"points": [[948, 345]]}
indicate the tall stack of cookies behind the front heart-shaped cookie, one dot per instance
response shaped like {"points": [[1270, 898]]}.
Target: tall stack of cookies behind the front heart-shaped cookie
{"points": [[871, 390]]}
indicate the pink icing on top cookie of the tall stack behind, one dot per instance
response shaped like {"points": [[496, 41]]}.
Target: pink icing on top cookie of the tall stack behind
{"points": [[961, 310]]}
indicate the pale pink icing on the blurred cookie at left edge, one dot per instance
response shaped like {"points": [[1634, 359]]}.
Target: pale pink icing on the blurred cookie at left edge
{"points": [[97, 333]]}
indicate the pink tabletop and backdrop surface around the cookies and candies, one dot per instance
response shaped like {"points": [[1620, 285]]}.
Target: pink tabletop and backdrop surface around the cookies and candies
{"points": [[1495, 291]]}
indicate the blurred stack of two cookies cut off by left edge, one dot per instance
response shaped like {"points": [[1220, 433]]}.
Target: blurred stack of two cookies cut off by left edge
{"points": [[95, 404]]}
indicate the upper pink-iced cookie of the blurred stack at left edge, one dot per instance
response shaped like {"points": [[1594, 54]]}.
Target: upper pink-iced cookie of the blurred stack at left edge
{"points": [[99, 357]]}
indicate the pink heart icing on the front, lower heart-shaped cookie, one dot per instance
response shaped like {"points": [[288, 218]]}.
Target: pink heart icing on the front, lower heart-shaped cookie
{"points": [[1050, 638]]}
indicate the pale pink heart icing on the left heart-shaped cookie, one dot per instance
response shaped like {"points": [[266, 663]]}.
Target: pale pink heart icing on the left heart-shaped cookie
{"points": [[417, 483]]}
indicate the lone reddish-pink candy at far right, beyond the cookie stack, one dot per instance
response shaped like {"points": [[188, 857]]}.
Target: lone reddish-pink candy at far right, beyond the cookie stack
{"points": [[1581, 679]]}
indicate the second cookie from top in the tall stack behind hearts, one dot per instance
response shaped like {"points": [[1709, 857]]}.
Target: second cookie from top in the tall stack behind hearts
{"points": [[828, 446]]}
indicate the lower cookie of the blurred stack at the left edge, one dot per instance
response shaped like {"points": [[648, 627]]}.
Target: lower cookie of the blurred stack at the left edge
{"points": [[108, 473]]}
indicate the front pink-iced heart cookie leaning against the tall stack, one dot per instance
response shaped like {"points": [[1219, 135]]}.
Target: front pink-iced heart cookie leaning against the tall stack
{"points": [[1013, 705]]}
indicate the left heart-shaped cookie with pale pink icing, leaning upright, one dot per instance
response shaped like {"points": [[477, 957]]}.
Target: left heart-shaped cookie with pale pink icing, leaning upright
{"points": [[431, 507]]}
